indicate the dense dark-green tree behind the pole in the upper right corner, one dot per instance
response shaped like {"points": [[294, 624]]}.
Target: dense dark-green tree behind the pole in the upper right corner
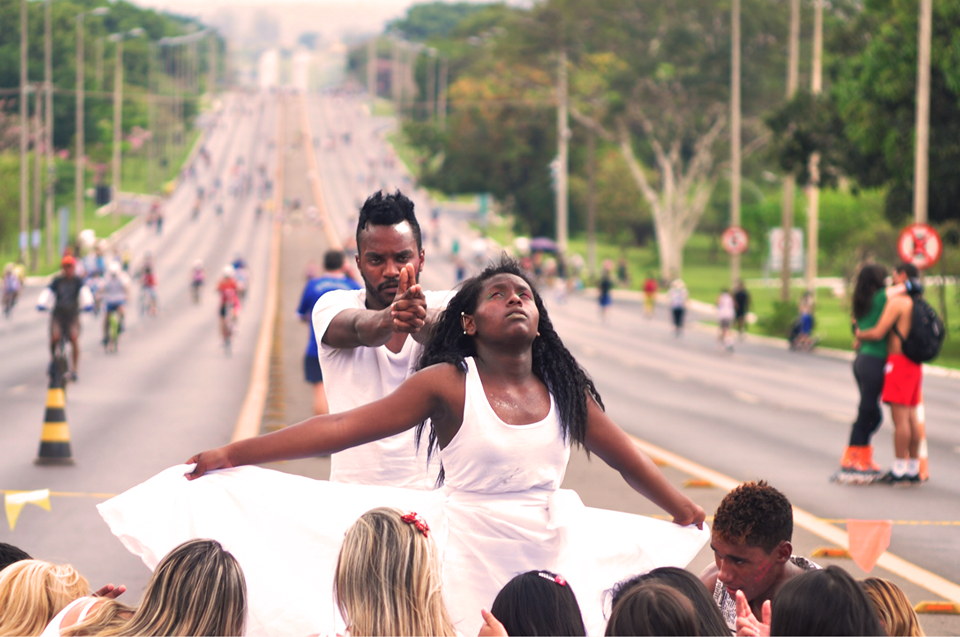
{"points": [[864, 125]]}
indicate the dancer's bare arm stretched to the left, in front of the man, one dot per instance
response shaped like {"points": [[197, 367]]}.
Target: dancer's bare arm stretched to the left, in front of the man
{"points": [[420, 397]]}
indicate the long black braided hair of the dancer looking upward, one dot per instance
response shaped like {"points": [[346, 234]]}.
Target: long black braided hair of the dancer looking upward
{"points": [[552, 362]]}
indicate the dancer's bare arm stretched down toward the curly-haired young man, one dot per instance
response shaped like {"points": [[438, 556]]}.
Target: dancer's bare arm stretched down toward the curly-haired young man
{"points": [[615, 447]]}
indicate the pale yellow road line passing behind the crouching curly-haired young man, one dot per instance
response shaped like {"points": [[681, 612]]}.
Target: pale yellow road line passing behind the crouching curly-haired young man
{"points": [[815, 525]]}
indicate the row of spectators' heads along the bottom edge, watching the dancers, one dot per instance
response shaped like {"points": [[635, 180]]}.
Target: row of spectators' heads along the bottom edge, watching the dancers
{"points": [[388, 582]]}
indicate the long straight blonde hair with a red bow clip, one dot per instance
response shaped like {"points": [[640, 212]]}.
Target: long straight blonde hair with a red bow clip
{"points": [[387, 580]]}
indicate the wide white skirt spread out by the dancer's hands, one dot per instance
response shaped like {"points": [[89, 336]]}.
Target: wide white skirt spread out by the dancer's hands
{"points": [[286, 532]]}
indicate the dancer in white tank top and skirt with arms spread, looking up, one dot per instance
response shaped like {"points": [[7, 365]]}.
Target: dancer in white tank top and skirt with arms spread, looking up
{"points": [[504, 400]]}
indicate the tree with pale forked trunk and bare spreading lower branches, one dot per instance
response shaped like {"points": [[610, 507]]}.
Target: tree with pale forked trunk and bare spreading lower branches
{"points": [[655, 83]]}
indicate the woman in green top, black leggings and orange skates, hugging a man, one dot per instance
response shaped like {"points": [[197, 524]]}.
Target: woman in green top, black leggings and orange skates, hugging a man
{"points": [[869, 298]]}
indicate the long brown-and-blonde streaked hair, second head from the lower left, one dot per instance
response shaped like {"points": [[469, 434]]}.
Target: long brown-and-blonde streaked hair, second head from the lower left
{"points": [[197, 589]]}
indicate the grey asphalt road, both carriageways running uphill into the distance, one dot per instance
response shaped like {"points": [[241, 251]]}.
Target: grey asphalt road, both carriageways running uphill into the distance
{"points": [[760, 412]]}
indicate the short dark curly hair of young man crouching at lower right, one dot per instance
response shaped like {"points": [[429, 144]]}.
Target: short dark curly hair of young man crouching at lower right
{"points": [[754, 514]]}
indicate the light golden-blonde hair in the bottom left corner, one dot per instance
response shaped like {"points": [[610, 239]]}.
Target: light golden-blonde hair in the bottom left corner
{"points": [[32, 592]]}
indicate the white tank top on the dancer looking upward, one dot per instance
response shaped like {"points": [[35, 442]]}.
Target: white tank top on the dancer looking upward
{"points": [[489, 456]]}
